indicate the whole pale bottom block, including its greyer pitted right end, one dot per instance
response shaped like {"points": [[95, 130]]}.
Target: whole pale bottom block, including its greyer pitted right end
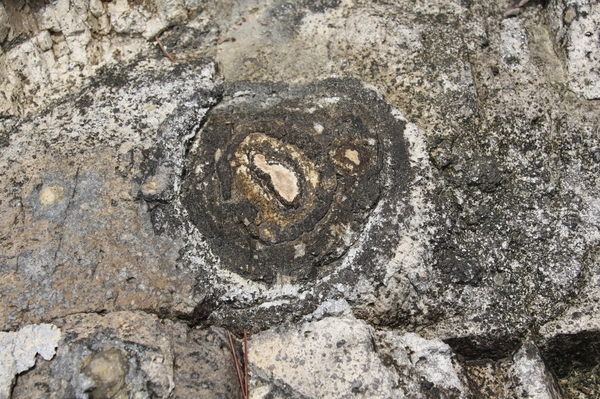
{"points": [[341, 357]]}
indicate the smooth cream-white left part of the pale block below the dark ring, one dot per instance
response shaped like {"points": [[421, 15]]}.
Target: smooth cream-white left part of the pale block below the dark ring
{"points": [[327, 358]]}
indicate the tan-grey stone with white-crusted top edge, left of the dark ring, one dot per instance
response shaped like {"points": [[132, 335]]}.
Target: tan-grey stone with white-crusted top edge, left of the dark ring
{"points": [[77, 237]]}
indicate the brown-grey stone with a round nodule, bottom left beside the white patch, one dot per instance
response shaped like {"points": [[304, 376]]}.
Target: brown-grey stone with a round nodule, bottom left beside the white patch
{"points": [[129, 354]]}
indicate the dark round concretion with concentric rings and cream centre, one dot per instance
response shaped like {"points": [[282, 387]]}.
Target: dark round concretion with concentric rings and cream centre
{"points": [[282, 181]]}
